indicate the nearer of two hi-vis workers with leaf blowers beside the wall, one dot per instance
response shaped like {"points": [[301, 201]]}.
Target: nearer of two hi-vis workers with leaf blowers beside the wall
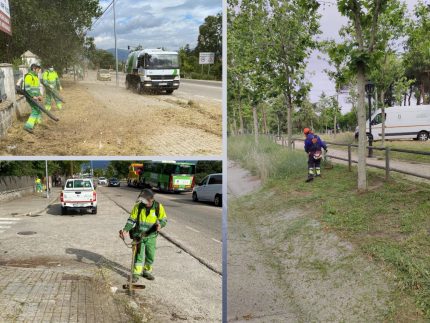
{"points": [[31, 85]]}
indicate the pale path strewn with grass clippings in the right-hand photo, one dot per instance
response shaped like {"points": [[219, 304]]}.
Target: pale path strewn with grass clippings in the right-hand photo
{"points": [[286, 267]]}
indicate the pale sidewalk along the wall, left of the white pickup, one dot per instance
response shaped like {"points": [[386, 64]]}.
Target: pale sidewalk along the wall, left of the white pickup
{"points": [[29, 205]]}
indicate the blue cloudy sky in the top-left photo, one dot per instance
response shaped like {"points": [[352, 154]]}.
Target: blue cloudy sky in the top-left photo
{"points": [[168, 23]]}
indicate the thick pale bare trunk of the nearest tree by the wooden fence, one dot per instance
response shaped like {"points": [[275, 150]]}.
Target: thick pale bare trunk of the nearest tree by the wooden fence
{"points": [[362, 137]]}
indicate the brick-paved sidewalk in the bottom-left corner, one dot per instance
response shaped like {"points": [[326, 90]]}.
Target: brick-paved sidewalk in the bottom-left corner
{"points": [[46, 295]]}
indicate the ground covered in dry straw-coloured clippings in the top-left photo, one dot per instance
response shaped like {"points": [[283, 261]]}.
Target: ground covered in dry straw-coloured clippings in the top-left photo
{"points": [[100, 119]]}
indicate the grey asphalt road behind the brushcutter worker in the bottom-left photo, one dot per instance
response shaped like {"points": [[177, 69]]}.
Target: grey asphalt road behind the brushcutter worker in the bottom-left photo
{"points": [[195, 225]]}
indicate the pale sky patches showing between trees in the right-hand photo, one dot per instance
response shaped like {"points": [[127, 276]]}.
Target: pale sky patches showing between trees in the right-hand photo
{"points": [[331, 21]]}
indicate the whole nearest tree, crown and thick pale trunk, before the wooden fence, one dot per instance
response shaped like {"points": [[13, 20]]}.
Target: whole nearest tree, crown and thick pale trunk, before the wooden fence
{"points": [[366, 37]]}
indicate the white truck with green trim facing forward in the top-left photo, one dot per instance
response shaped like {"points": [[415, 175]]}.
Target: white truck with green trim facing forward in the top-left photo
{"points": [[152, 70]]}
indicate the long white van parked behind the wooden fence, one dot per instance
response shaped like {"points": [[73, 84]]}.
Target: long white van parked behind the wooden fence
{"points": [[401, 122]]}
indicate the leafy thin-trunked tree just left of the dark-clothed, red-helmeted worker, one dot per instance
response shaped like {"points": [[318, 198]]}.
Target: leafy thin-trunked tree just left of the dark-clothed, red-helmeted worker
{"points": [[291, 38]]}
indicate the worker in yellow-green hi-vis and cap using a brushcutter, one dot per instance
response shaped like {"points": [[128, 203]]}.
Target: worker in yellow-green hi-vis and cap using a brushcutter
{"points": [[146, 219]]}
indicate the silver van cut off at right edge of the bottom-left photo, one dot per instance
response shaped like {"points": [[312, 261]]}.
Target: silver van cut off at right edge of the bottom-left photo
{"points": [[209, 189]]}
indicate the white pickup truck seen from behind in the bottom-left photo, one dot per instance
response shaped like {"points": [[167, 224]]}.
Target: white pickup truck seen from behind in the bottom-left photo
{"points": [[78, 194]]}
